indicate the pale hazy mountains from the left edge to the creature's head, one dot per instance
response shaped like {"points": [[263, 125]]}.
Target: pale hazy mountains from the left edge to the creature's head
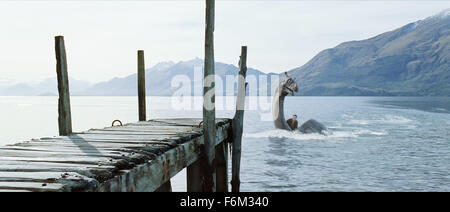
{"points": [[158, 82]]}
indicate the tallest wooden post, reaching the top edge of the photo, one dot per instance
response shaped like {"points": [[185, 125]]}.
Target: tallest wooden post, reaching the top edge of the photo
{"points": [[209, 111]]}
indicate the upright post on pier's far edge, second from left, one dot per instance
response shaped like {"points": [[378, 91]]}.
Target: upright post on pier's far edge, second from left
{"points": [[141, 86]]}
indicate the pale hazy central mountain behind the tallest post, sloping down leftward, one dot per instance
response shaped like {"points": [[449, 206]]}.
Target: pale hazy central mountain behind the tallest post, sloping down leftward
{"points": [[159, 79]]}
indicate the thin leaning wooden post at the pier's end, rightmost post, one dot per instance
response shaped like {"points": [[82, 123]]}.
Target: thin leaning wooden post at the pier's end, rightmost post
{"points": [[238, 122]]}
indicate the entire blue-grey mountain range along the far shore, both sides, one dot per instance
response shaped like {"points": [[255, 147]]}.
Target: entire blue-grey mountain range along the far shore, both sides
{"points": [[413, 60]]}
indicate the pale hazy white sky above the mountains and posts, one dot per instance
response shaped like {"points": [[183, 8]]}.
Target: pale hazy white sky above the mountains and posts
{"points": [[102, 37]]}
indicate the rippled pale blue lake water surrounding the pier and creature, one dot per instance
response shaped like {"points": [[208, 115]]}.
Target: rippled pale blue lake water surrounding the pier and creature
{"points": [[376, 143]]}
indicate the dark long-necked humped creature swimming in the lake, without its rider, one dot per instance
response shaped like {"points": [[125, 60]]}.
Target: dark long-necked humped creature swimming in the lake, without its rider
{"points": [[288, 86]]}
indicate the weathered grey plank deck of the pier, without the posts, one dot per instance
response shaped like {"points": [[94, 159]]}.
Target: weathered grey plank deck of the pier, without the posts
{"points": [[138, 156]]}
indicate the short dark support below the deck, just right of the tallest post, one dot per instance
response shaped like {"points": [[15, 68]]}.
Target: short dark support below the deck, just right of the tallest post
{"points": [[222, 169]]}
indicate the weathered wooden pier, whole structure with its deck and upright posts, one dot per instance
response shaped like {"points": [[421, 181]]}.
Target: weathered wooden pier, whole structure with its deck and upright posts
{"points": [[141, 156]]}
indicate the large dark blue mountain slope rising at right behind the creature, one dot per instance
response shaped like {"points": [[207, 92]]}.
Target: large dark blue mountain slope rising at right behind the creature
{"points": [[413, 60]]}
